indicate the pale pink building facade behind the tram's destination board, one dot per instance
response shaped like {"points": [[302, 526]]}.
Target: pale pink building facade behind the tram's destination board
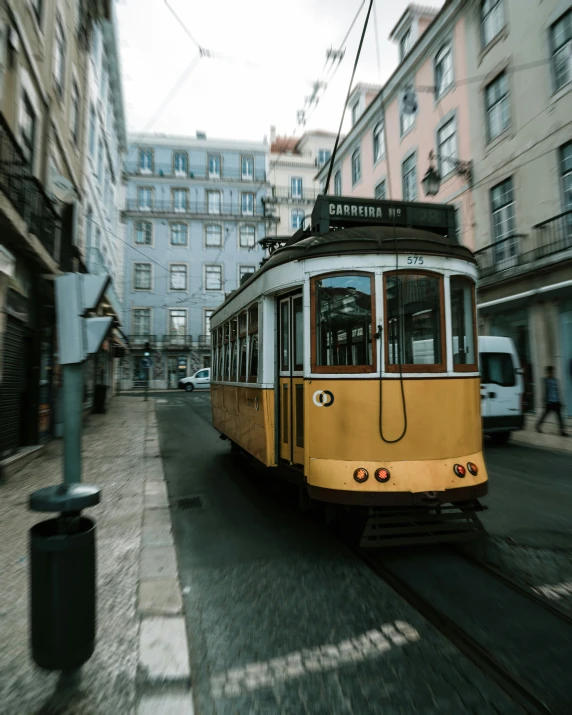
{"points": [[418, 119]]}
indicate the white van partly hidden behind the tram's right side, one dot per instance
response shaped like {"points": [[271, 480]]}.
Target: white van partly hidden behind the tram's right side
{"points": [[502, 388]]}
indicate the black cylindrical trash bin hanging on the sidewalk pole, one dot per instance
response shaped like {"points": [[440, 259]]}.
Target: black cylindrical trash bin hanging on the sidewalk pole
{"points": [[62, 594]]}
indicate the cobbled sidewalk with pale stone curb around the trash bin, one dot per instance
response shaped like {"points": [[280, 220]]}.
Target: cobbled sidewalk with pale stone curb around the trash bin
{"points": [[140, 665]]}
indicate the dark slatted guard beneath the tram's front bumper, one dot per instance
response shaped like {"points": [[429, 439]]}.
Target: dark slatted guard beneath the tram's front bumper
{"points": [[394, 527]]}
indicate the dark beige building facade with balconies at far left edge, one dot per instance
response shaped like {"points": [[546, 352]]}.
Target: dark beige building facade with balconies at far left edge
{"points": [[44, 55]]}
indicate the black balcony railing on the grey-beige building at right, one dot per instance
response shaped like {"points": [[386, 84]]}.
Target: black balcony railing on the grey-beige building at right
{"points": [[548, 238]]}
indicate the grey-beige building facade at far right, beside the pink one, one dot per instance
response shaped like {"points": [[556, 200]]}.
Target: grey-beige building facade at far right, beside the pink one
{"points": [[521, 139]]}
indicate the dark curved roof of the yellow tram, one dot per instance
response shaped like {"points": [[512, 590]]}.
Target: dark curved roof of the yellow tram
{"points": [[359, 241]]}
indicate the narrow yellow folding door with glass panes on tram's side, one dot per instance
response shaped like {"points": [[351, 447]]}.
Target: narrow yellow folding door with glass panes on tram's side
{"points": [[291, 381]]}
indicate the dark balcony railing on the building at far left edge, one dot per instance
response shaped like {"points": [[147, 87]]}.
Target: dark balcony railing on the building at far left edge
{"points": [[25, 192]]}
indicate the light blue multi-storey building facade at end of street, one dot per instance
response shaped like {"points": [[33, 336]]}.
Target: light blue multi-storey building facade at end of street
{"points": [[193, 220]]}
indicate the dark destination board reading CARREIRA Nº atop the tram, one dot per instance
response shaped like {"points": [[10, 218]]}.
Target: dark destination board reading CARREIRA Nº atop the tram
{"points": [[344, 212]]}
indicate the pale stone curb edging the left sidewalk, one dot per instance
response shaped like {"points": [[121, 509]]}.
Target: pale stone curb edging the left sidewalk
{"points": [[164, 668]]}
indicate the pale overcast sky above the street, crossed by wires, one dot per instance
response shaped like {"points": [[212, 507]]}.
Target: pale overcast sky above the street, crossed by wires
{"points": [[276, 50]]}
